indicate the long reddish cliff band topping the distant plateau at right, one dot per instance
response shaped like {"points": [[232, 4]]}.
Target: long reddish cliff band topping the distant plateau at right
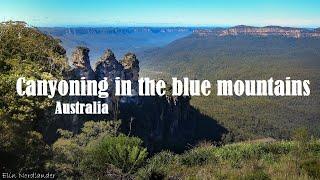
{"points": [[261, 31]]}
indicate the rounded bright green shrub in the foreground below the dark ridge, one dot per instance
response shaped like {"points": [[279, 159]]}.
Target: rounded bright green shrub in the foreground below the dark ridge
{"points": [[123, 152]]}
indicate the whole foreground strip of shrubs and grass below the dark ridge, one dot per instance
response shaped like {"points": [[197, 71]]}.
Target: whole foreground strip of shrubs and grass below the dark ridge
{"points": [[100, 152]]}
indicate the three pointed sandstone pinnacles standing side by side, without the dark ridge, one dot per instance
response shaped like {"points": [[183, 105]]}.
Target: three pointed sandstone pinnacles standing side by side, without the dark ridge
{"points": [[106, 67]]}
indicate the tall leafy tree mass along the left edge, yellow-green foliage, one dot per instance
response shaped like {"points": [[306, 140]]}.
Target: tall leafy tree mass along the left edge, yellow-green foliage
{"points": [[25, 51]]}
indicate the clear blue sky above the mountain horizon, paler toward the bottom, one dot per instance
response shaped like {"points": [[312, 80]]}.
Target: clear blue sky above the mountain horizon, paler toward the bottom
{"points": [[299, 13]]}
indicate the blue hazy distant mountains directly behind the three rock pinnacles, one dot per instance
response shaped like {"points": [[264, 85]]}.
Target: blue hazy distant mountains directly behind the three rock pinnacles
{"points": [[120, 39]]}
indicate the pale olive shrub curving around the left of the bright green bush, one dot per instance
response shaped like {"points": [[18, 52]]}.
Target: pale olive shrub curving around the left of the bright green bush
{"points": [[68, 152]]}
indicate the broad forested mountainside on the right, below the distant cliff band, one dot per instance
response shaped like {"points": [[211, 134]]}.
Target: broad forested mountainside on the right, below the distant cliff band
{"points": [[246, 57]]}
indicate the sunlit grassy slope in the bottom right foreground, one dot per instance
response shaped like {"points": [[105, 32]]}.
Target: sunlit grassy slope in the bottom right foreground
{"points": [[260, 160]]}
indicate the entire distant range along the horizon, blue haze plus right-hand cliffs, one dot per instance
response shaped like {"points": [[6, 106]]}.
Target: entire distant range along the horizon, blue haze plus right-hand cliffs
{"points": [[138, 39]]}
